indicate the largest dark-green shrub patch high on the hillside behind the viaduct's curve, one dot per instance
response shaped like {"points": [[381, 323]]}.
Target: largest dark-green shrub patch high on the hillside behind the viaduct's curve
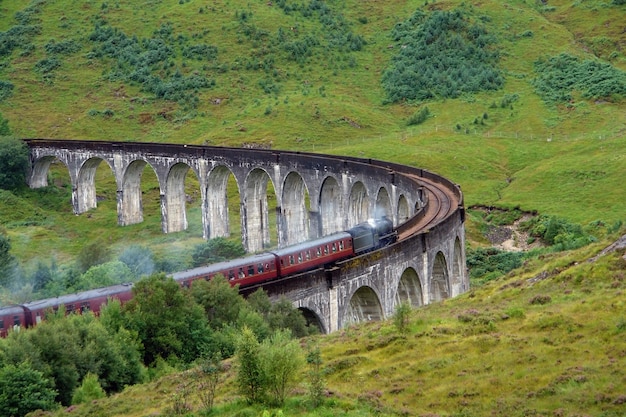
{"points": [[443, 55]]}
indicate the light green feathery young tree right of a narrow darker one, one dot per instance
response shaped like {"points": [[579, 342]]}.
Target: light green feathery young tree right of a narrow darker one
{"points": [[282, 360]]}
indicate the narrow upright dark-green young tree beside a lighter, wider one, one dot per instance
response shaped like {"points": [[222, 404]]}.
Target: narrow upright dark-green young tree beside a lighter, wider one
{"points": [[250, 378]]}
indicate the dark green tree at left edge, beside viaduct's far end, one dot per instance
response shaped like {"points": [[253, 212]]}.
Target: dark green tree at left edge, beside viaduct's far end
{"points": [[14, 163]]}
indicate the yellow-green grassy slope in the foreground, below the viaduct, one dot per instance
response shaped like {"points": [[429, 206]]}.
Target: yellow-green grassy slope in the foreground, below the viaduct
{"points": [[547, 340]]}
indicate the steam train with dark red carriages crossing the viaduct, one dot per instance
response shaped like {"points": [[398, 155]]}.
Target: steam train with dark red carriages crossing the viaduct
{"points": [[290, 260]]}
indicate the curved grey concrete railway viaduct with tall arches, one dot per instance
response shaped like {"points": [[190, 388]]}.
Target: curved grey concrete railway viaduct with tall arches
{"points": [[314, 195]]}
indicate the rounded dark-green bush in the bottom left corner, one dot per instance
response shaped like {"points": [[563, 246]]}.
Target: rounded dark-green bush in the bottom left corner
{"points": [[23, 389]]}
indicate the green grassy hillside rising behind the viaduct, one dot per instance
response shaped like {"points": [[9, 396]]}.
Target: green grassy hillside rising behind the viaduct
{"points": [[308, 77]]}
